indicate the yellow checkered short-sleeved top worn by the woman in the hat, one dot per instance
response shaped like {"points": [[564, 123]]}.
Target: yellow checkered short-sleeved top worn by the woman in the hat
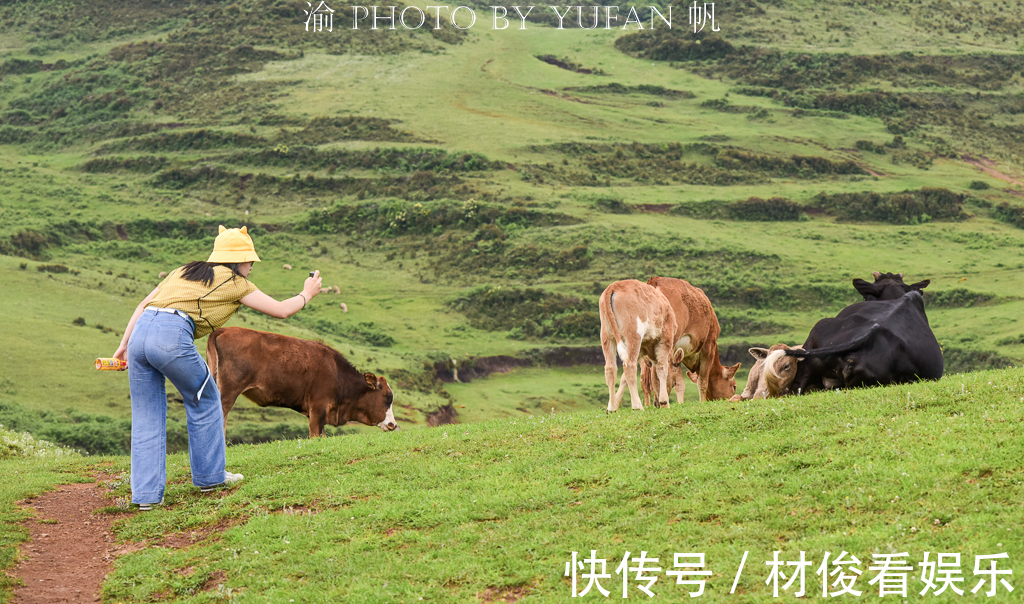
{"points": [[209, 307]]}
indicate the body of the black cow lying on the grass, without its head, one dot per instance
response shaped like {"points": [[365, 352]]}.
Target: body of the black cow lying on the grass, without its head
{"points": [[870, 343]]}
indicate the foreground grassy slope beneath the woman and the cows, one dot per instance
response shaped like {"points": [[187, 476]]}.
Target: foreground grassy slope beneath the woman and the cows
{"points": [[492, 511]]}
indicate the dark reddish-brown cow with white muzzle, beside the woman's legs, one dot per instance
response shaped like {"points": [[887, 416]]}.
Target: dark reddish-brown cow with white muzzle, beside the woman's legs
{"points": [[312, 378]]}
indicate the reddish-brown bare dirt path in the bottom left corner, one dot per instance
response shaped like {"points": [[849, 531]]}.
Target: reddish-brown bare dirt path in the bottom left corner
{"points": [[67, 560]]}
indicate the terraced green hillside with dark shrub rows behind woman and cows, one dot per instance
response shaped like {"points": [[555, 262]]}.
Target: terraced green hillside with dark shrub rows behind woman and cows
{"points": [[472, 192]]}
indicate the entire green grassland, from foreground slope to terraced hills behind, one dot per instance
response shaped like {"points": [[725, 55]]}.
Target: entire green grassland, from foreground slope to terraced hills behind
{"points": [[467, 194]]}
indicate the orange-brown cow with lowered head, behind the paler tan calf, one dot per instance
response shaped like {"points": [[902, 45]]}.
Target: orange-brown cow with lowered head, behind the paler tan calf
{"points": [[697, 337]]}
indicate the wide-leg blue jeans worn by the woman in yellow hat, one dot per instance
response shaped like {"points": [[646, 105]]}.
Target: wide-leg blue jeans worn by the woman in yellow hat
{"points": [[162, 347]]}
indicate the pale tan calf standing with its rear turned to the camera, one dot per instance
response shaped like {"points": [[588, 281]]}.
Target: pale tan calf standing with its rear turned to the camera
{"points": [[635, 319]]}
